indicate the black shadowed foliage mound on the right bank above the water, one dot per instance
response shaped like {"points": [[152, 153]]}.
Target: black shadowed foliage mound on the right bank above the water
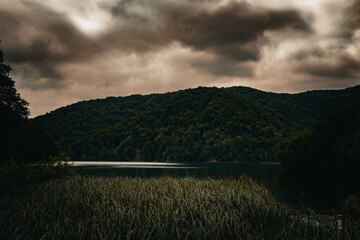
{"points": [[332, 146]]}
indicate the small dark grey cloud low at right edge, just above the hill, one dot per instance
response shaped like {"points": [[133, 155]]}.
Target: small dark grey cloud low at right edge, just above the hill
{"points": [[342, 67]]}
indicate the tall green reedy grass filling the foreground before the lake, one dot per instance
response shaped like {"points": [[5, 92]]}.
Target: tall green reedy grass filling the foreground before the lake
{"points": [[157, 208]]}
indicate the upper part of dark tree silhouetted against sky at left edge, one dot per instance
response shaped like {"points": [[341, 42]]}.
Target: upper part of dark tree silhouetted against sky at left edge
{"points": [[8, 94]]}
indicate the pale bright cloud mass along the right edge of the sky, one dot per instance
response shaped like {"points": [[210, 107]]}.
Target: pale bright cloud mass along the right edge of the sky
{"points": [[332, 54]]}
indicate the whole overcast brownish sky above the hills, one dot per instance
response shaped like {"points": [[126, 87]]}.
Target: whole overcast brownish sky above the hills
{"points": [[64, 51]]}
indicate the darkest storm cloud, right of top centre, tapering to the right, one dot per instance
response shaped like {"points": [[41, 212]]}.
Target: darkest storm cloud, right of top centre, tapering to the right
{"points": [[235, 31]]}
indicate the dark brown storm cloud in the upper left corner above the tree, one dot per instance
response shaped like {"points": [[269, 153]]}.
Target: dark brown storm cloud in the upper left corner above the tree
{"points": [[41, 44]]}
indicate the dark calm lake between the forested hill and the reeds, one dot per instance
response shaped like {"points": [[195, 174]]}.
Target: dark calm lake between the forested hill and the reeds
{"points": [[316, 192]]}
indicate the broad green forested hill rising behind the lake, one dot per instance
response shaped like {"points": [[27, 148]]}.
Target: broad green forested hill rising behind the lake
{"points": [[202, 124]]}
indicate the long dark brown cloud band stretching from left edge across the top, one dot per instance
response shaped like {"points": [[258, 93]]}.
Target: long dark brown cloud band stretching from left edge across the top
{"points": [[234, 31]]}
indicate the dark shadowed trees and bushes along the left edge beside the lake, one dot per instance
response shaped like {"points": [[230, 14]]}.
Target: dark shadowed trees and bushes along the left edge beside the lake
{"points": [[28, 154]]}
